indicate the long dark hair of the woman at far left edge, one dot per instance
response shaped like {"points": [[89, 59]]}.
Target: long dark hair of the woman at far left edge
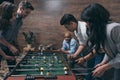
{"points": [[7, 9]]}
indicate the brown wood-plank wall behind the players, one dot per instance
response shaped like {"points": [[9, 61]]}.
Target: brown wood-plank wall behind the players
{"points": [[44, 20]]}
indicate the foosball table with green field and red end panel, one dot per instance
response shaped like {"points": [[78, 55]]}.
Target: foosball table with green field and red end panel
{"points": [[41, 66]]}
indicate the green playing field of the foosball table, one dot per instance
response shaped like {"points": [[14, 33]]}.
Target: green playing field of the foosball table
{"points": [[45, 64]]}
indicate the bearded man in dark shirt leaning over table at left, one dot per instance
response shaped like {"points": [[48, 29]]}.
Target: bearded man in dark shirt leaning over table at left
{"points": [[24, 9]]}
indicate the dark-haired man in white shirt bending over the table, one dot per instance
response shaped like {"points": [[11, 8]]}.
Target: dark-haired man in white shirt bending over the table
{"points": [[79, 29]]}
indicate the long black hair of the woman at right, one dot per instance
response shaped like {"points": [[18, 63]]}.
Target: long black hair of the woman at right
{"points": [[98, 17]]}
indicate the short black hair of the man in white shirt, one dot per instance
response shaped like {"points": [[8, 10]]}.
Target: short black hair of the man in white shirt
{"points": [[67, 18]]}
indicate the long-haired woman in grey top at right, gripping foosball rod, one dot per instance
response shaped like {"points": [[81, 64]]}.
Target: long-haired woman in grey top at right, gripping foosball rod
{"points": [[106, 32]]}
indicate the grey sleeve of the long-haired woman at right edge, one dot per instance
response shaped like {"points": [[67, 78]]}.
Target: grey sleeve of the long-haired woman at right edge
{"points": [[115, 35]]}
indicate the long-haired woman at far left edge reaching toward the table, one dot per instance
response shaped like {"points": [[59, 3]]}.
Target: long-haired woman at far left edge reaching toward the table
{"points": [[7, 16]]}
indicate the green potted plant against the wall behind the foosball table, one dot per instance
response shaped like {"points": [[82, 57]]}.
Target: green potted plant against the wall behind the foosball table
{"points": [[28, 38]]}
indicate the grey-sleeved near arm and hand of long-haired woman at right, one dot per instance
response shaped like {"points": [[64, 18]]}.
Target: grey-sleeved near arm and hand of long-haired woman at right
{"points": [[115, 62]]}
